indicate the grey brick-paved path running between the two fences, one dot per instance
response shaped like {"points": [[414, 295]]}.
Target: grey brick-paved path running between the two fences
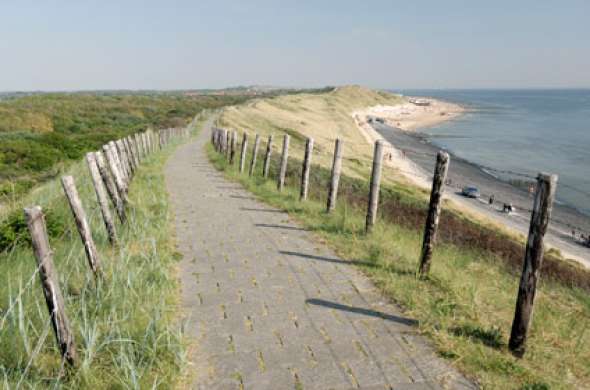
{"points": [[270, 308]]}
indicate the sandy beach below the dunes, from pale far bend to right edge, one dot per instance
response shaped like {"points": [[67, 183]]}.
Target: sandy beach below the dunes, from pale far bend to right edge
{"points": [[413, 155]]}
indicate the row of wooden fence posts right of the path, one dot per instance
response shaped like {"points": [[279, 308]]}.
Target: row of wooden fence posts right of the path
{"points": [[544, 194]]}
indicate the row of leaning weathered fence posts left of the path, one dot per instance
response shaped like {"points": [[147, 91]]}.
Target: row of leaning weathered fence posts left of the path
{"points": [[123, 159]]}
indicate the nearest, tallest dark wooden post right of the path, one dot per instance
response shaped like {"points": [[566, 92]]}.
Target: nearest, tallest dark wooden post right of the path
{"points": [[533, 260]]}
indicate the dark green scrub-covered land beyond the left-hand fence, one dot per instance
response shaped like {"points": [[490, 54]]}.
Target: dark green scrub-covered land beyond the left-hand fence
{"points": [[40, 134]]}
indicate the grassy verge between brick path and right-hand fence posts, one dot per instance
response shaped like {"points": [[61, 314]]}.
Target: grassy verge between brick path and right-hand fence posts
{"points": [[467, 304]]}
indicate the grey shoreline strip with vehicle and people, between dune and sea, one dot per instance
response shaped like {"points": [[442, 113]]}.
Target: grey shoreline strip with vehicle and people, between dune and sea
{"points": [[422, 152]]}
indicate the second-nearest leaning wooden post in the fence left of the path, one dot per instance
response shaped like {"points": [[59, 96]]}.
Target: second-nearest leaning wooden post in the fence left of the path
{"points": [[81, 223]]}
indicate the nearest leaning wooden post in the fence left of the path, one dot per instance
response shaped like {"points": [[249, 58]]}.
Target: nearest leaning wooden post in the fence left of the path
{"points": [[49, 282]]}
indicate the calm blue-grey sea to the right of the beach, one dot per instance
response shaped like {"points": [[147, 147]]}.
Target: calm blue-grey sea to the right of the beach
{"points": [[523, 130]]}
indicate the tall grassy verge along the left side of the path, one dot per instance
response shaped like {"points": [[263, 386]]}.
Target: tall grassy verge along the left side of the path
{"points": [[125, 327]]}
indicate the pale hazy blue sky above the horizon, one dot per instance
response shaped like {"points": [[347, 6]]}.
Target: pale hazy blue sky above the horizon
{"points": [[65, 45]]}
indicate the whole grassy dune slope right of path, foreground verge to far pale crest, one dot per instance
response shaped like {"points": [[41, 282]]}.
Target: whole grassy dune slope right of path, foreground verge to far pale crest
{"points": [[467, 304]]}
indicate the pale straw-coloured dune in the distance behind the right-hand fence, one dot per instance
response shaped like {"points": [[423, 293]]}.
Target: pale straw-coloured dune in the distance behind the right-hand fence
{"points": [[323, 117]]}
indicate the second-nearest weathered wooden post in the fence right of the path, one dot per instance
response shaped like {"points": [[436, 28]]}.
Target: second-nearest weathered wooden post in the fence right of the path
{"points": [[434, 209]]}
